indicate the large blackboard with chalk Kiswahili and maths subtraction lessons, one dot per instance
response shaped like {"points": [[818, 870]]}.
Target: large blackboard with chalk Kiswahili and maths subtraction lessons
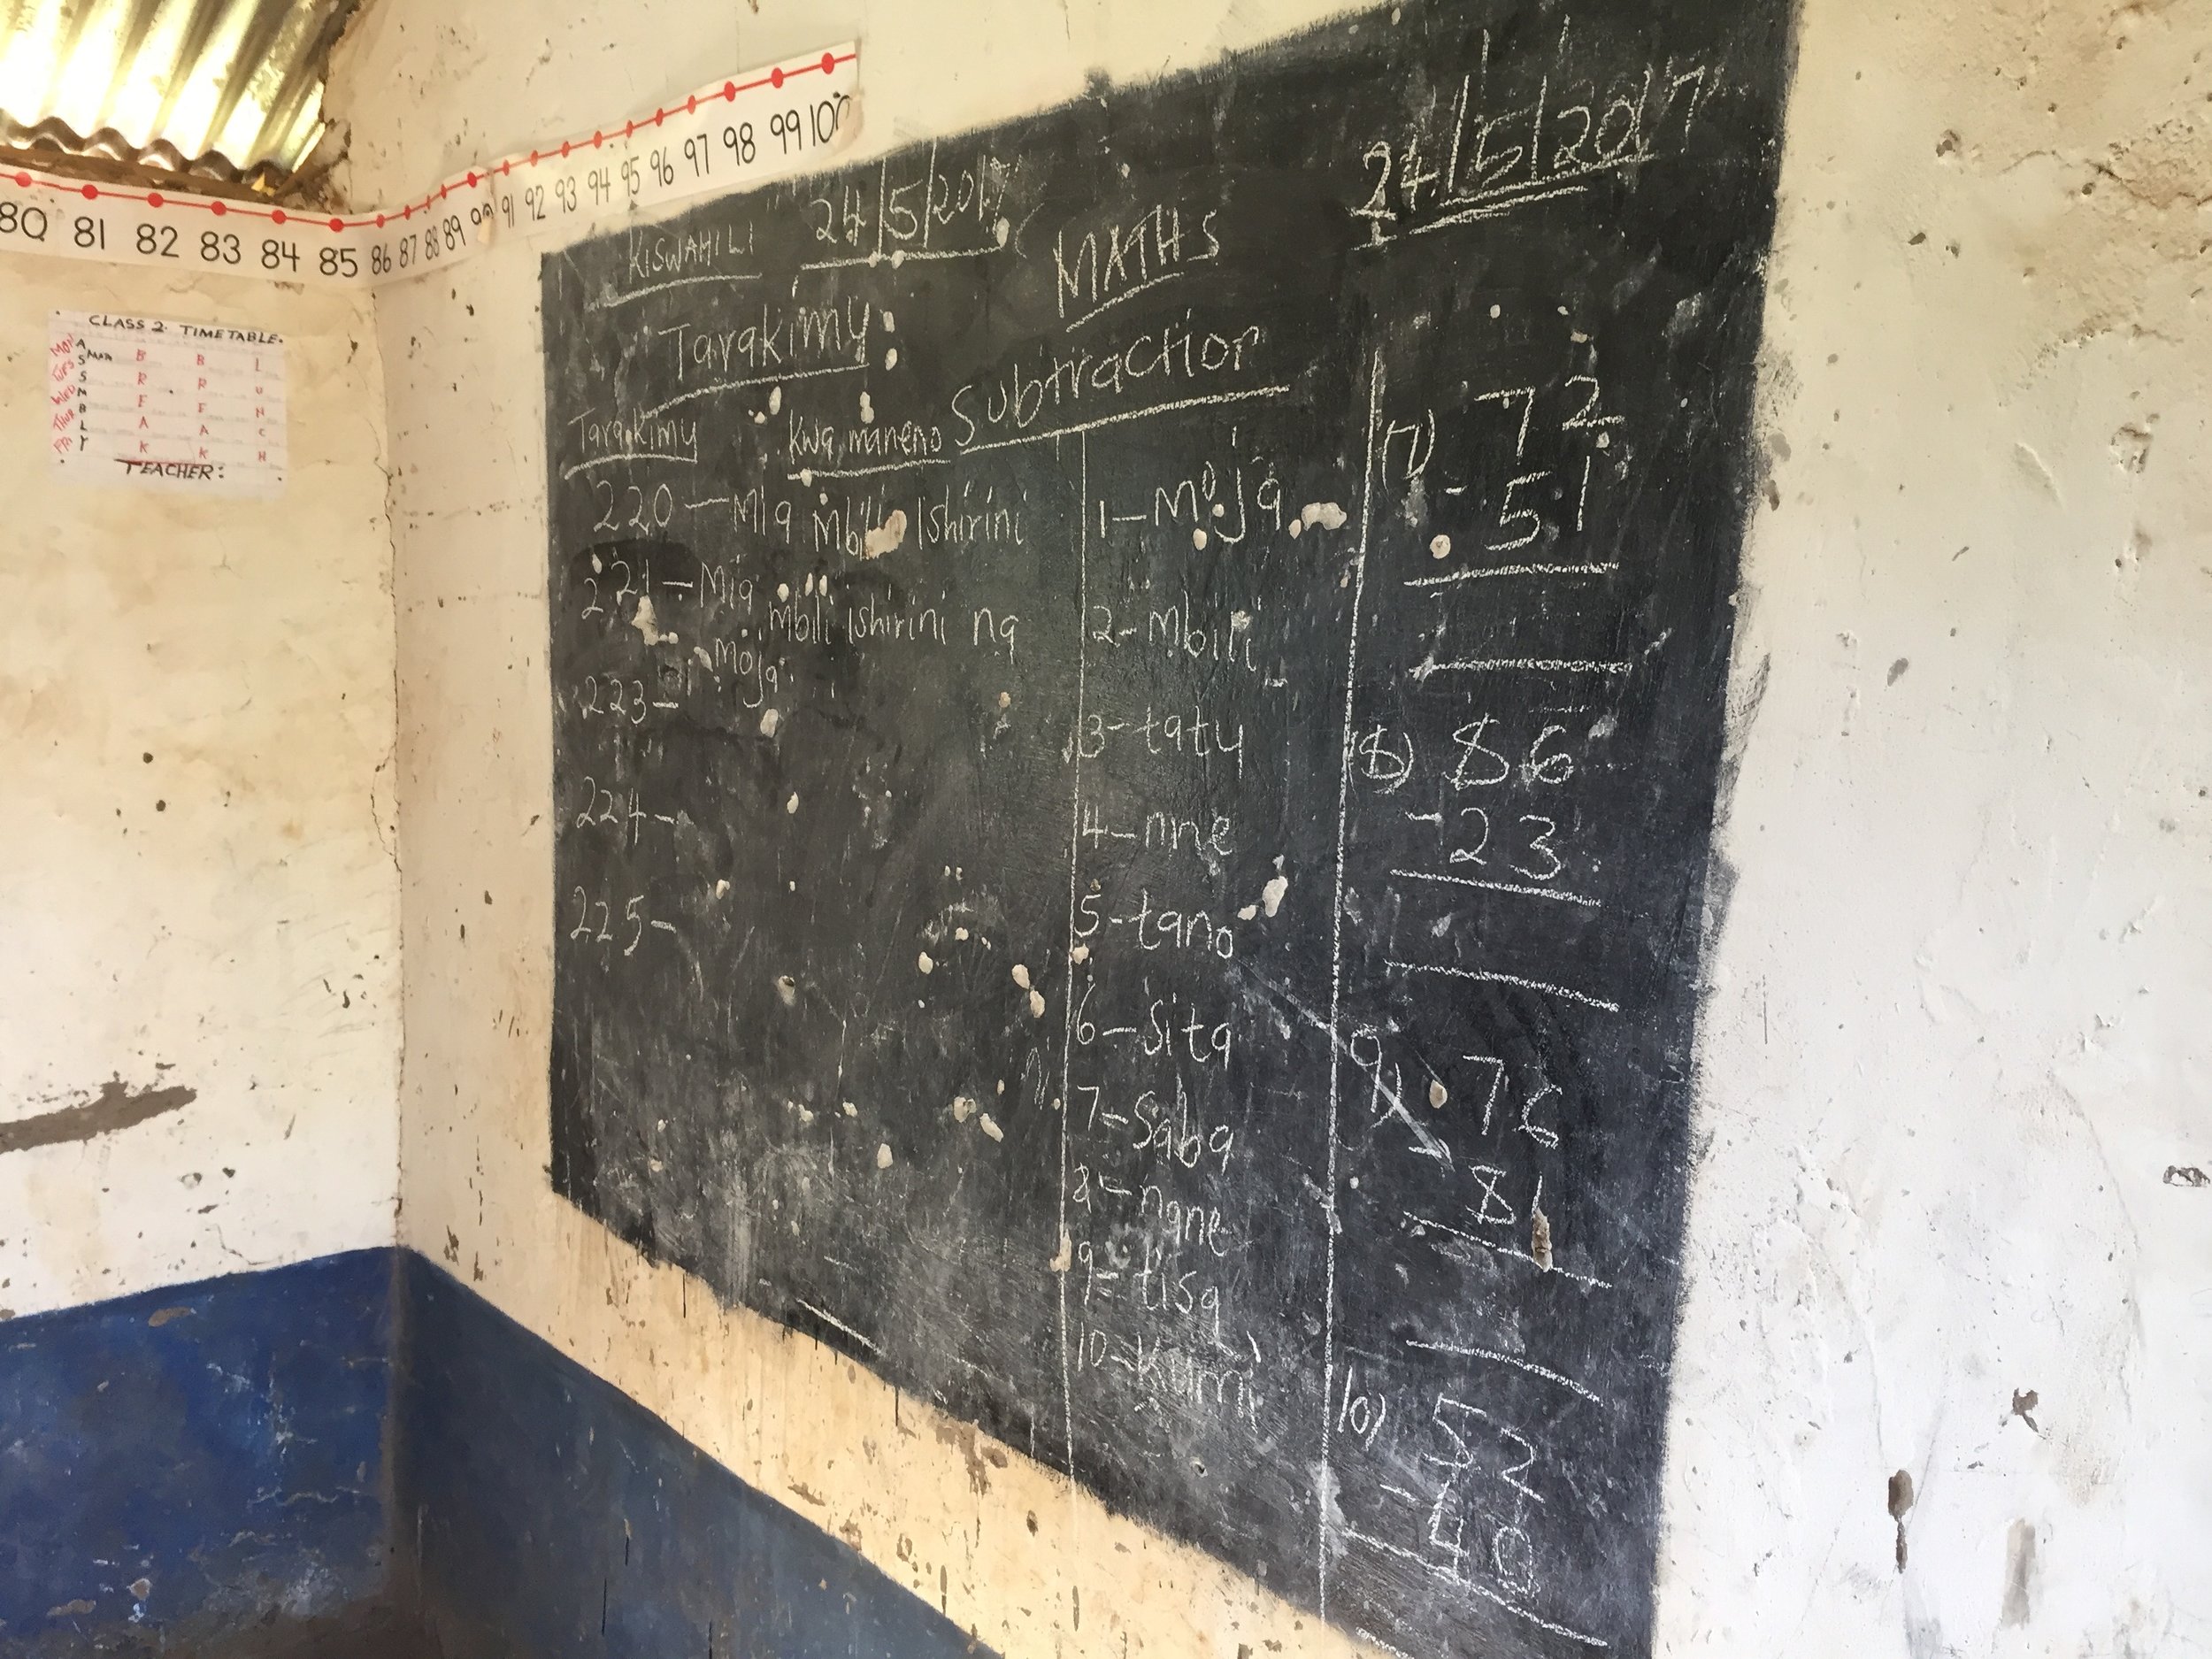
{"points": [[1138, 705]]}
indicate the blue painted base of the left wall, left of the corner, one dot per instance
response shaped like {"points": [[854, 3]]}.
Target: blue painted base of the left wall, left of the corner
{"points": [[198, 1463]]}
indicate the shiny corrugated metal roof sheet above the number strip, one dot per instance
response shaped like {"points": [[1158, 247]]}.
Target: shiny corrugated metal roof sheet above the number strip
{"points": [[231, 90]]}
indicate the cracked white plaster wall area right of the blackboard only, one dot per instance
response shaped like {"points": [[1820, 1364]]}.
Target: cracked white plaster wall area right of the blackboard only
{"points": [[1963, 1005]]}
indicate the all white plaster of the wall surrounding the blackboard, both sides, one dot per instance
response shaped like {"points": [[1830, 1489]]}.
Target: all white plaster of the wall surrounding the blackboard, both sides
{"points": [[1957, 1027]]}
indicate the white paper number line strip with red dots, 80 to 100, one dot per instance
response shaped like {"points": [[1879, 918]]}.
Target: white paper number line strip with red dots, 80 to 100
{"points": [[722, 138]]}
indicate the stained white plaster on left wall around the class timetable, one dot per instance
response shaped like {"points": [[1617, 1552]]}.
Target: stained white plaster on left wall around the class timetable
{"points": [[198, 881]]}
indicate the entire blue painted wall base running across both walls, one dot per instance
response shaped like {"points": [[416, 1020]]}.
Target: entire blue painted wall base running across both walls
{"points": [[359, 1459]]}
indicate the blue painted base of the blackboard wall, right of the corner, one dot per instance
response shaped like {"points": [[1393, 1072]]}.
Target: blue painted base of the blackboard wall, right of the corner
{"points": [[556, 1516]]}
